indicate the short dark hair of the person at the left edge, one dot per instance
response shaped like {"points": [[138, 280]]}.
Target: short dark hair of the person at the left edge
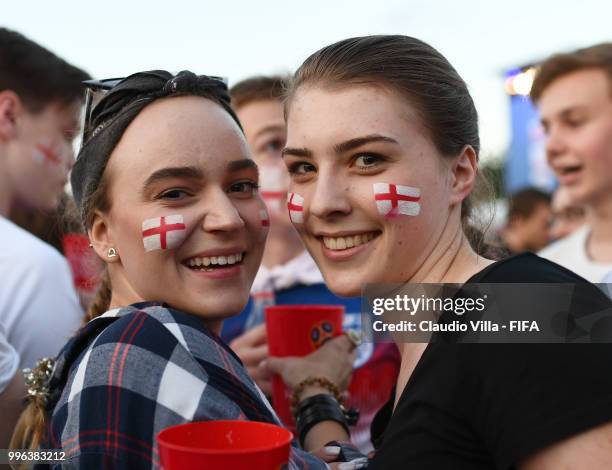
{"points": [[35, 74]]}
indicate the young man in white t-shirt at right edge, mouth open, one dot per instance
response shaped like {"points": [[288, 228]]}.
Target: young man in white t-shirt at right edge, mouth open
{"points": [[573, 92]]}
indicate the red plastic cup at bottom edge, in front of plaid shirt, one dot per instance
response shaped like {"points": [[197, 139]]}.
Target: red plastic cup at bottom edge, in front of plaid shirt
{"points": [[239, 445]]}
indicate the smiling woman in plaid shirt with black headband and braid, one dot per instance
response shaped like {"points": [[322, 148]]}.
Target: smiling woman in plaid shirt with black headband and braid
{"points": [[168, 195]]}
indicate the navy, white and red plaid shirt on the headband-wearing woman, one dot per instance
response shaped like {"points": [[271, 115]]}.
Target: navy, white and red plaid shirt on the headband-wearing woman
{"points": [[134, 371]]}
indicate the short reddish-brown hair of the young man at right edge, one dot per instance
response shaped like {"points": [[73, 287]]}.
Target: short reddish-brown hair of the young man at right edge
{"points": [[598, 56]]}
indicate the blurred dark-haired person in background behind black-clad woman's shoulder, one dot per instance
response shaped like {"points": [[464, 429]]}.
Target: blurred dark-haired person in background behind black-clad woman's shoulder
{"points": [[528, 223]]}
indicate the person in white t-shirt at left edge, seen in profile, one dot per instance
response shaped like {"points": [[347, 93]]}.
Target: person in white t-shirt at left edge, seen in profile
{"points": [[40, 101]]}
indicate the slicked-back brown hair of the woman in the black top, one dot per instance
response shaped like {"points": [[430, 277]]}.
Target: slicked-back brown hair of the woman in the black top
{"points": [[414, 70]]}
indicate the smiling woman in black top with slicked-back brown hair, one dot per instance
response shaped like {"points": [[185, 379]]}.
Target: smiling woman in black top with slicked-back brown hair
{"points": [[382, 148]]}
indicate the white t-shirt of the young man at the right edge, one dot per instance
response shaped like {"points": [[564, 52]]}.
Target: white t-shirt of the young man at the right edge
{"points": [[571, 253]]}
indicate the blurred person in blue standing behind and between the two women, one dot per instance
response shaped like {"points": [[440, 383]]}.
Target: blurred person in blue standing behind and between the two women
{"points": [[288, 274]]}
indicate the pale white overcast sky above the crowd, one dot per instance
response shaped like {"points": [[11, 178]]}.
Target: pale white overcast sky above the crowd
{"points": [[239, 38]]}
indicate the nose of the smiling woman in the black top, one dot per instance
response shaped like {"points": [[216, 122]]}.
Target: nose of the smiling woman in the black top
{"points": [[330, 196]]}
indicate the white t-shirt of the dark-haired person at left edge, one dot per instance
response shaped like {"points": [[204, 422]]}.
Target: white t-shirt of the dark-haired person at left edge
{"points": [[39, 307]]}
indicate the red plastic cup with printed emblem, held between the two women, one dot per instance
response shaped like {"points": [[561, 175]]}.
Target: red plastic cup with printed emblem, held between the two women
{"points": [[298, 330]]}
